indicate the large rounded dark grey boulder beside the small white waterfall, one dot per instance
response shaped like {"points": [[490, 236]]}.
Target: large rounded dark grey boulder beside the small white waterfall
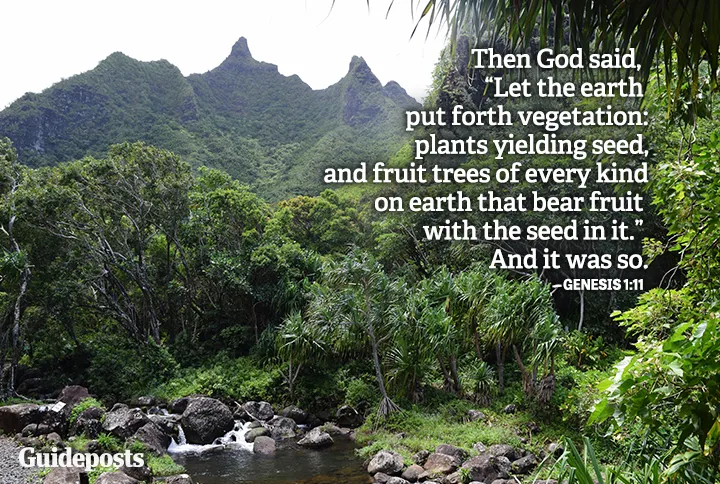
{"points": [[206, 419]]}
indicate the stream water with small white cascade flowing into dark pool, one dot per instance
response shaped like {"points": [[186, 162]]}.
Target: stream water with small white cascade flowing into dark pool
{"points": [[232, 461]]}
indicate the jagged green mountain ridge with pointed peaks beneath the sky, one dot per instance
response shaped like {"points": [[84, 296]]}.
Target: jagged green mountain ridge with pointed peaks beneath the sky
{"points": [[264, 128]]}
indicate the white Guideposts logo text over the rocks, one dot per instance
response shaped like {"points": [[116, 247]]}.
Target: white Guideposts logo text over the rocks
{"points": [[29, 458]]}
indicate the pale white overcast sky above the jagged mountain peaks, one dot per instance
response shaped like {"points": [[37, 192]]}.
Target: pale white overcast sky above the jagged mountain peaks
{"points": [[45, 41]]}
